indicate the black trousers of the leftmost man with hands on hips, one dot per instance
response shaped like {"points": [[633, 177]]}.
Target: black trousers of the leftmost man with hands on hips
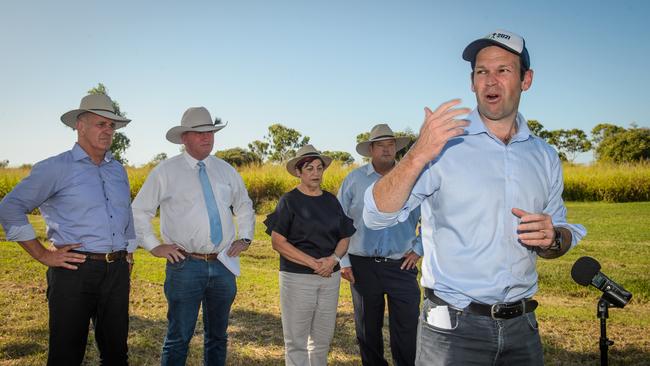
{"points": [[96, 290]]}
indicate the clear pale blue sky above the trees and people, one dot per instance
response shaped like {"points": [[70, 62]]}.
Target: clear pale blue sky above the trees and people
{"points": [[330, 69]]}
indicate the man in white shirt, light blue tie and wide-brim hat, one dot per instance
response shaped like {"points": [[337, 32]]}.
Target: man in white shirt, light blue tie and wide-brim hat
{"points": [[195, 192]]}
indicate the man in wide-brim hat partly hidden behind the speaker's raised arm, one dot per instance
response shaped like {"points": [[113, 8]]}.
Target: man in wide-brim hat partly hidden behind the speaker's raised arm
{"points": [[381, 264]]}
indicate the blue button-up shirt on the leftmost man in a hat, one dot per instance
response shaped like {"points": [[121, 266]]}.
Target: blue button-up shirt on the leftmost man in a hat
{"points": [[81, 202]]}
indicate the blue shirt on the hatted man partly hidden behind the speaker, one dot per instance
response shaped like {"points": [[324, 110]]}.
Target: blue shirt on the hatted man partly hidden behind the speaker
{"points": [[393, 242]]}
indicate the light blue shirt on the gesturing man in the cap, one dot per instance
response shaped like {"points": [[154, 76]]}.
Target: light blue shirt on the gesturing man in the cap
{"points": [[471, 250]]}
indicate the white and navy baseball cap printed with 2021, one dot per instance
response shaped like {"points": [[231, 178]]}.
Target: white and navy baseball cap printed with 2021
{"points": [[507, 40]]}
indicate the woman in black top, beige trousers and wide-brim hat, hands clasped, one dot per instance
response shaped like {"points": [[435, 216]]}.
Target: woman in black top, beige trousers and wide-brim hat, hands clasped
{"points": [[310, 231]]}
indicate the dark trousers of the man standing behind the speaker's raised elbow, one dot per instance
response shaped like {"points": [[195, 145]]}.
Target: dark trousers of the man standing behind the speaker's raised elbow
{"points": [[373, 281]]}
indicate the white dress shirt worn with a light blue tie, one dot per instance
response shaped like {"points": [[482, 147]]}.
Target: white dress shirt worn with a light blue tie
{"points": [[174, 186]]}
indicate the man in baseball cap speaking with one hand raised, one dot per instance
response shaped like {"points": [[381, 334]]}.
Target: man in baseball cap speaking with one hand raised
{"points": [[491, 200]]}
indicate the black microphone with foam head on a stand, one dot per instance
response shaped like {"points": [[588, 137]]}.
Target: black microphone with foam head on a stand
{"points": [[586, 271]]}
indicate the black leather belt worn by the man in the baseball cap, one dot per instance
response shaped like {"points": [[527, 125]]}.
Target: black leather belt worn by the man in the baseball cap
{"points": [[501, 310]]}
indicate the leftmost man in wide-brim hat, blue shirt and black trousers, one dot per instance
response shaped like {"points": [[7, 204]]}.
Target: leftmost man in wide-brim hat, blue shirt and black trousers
{"points": [[84, 197]]}
